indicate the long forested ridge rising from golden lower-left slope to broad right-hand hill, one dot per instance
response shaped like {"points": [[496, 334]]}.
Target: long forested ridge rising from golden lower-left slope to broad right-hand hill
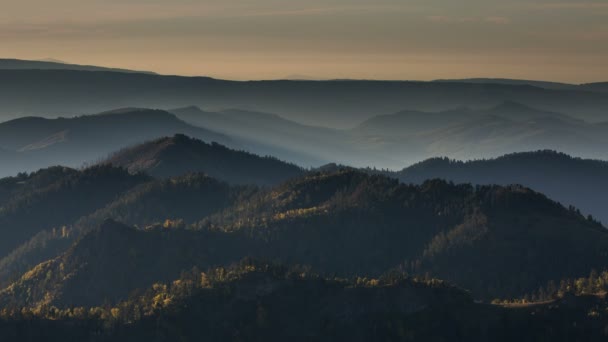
{"points": [[495, 241]]}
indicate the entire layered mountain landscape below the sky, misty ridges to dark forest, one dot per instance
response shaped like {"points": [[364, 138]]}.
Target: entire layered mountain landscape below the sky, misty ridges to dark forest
{"points": [[451, 210]]}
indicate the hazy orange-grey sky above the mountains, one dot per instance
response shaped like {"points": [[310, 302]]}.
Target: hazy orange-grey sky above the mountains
{"points": [[260, 39]]}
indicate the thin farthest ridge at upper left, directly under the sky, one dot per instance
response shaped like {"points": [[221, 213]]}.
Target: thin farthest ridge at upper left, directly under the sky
{"points": [[53, 64]]}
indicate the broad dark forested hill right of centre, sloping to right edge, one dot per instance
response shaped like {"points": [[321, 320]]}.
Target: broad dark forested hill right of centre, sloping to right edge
{"points": [[347, 222]]}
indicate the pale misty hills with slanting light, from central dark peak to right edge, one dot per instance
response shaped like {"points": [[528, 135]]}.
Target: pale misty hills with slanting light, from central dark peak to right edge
{"points": [[406, 137]]}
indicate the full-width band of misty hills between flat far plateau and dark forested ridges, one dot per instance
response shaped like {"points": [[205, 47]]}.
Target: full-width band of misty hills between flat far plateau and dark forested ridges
{"points": [[386, 141]]}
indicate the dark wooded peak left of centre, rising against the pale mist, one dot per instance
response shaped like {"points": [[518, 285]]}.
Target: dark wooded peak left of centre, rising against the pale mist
{"points": [[178, 155]]}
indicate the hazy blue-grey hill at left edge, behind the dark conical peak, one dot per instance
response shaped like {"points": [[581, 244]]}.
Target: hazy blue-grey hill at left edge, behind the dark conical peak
{"points": [[40, 142]]}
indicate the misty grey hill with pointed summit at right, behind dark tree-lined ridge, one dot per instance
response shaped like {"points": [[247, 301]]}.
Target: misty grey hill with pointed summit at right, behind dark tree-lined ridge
{"points": [[473, 134]]}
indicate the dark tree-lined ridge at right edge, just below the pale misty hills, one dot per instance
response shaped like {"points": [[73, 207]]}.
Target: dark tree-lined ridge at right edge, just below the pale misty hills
{"points": [[582, 183]]}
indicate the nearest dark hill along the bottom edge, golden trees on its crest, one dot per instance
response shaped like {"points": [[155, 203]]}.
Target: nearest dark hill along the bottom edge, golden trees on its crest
{"points": [[257, 301]]}
